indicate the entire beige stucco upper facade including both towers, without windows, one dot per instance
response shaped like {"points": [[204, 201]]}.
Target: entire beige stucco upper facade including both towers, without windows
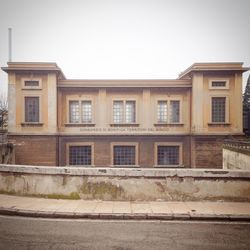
{"points": [[195, 105]]}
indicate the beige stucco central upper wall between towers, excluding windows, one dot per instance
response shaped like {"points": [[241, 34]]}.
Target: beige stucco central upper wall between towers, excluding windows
{"points": [[146, 110]]}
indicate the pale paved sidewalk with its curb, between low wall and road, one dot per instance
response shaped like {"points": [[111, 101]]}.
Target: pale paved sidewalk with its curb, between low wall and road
{"points": [[95, 209]]}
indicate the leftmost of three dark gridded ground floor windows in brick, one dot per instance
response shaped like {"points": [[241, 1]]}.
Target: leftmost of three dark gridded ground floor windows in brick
{"points": [[80, 155]]}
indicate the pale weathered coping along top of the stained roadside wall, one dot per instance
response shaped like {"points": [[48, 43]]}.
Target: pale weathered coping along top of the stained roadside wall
{"points": [[125, 172]]}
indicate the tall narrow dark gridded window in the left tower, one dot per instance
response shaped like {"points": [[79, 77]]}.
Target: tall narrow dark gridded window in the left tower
{"points": [[31, 109]]}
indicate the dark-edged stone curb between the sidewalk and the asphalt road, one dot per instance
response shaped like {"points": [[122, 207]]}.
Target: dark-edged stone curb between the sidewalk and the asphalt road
{"points": [[125, 216]]}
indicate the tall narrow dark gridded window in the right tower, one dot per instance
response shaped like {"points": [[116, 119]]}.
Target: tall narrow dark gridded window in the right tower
{"points": [[219, 109]]}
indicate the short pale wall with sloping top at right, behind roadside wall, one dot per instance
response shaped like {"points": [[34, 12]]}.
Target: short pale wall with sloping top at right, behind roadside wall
{"points": [[235, 160]]}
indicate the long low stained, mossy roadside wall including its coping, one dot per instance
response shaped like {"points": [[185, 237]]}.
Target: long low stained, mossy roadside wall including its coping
{"points": [[125, 184]]}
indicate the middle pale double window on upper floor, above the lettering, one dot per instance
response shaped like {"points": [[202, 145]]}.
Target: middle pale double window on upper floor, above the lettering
{"points": [[124, 112]]}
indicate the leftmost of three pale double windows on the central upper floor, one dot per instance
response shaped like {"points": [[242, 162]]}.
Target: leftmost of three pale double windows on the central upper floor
{"points": [[80, 112]]}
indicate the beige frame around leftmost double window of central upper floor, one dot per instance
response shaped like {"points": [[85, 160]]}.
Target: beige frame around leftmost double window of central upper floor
{"points": [[80, 100]]}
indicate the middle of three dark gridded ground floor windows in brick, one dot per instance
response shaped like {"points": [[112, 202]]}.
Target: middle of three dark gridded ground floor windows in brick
{"points": [[124, 155]]}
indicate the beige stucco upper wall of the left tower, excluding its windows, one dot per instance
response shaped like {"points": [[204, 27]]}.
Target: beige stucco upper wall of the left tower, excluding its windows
{"points": [[48, 102]]}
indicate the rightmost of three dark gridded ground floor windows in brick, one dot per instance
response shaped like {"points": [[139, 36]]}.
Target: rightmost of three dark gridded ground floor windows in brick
{"points": [[168, 155]]}
